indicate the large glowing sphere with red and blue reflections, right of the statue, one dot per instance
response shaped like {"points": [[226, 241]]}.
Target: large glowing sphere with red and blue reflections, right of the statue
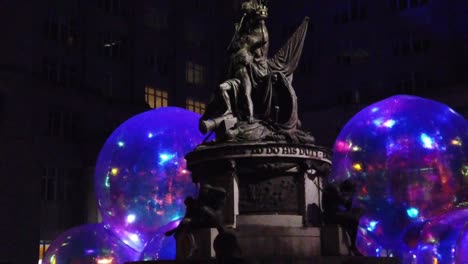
{"points": [[408, 158]]}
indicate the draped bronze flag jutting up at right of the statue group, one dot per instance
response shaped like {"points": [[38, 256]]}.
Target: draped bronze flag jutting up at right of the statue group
{"points": [[287, 58]]}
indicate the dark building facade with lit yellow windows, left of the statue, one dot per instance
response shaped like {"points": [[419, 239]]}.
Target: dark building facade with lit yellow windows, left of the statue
{"points": [[70, 73]]}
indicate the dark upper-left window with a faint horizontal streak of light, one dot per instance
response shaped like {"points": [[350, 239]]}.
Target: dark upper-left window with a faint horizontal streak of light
{"points": [[112, 46]]}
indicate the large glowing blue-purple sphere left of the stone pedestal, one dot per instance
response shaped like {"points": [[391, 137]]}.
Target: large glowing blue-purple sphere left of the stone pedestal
{"points": [[141, 179]]}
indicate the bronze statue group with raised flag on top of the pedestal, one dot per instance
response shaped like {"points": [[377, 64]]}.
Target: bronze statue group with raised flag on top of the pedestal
{"points": [[257, 101]]}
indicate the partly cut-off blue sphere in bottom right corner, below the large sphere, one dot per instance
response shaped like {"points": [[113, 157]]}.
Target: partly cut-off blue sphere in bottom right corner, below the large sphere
{"points": [[438, 239]]}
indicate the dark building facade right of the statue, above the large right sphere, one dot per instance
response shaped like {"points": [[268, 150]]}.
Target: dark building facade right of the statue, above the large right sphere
{"points": [[361, 51]]}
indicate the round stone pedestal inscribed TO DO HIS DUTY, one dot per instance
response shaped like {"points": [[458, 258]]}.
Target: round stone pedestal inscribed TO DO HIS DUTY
{"points": [[269, 193]]}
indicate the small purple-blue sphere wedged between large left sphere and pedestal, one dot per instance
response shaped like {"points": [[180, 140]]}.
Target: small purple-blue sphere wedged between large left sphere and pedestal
{"points": [[161, 247]]}
